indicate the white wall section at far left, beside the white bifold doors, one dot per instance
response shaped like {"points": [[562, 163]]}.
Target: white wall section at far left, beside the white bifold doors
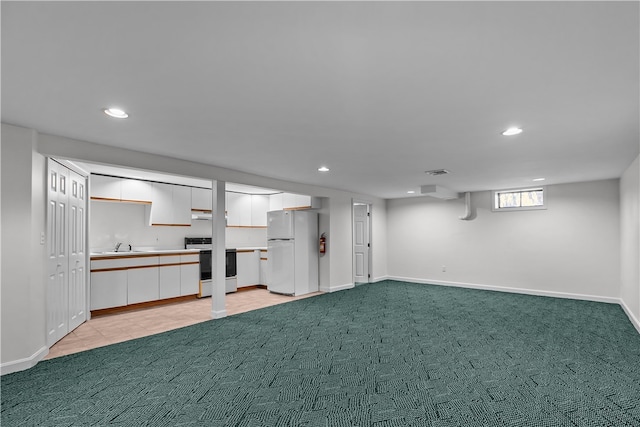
{"points": [[23, 285]]}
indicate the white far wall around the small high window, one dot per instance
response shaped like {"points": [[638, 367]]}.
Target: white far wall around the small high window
{"points": [[571, 249]]}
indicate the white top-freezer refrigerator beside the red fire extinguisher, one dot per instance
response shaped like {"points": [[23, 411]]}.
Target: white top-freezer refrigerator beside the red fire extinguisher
{"points": [[292, 257]]}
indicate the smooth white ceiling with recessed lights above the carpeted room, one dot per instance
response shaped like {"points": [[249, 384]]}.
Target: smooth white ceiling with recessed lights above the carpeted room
{"points": [[377, 91]]}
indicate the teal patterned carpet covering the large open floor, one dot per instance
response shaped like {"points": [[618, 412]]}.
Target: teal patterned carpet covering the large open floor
{"points": [[385, 354]]}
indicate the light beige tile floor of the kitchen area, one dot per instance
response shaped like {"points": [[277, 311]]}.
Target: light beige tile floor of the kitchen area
{"points": [[114, 328]]}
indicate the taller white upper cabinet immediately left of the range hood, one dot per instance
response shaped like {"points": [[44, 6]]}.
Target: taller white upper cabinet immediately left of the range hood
{"points": [[171, 205]]}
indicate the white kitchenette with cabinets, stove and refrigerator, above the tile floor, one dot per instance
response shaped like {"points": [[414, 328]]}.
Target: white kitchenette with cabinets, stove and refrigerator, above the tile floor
{"points": [[150, 239]]}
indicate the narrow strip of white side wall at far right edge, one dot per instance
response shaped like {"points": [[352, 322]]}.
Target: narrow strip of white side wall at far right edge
{"points": [[630, 241]]}
